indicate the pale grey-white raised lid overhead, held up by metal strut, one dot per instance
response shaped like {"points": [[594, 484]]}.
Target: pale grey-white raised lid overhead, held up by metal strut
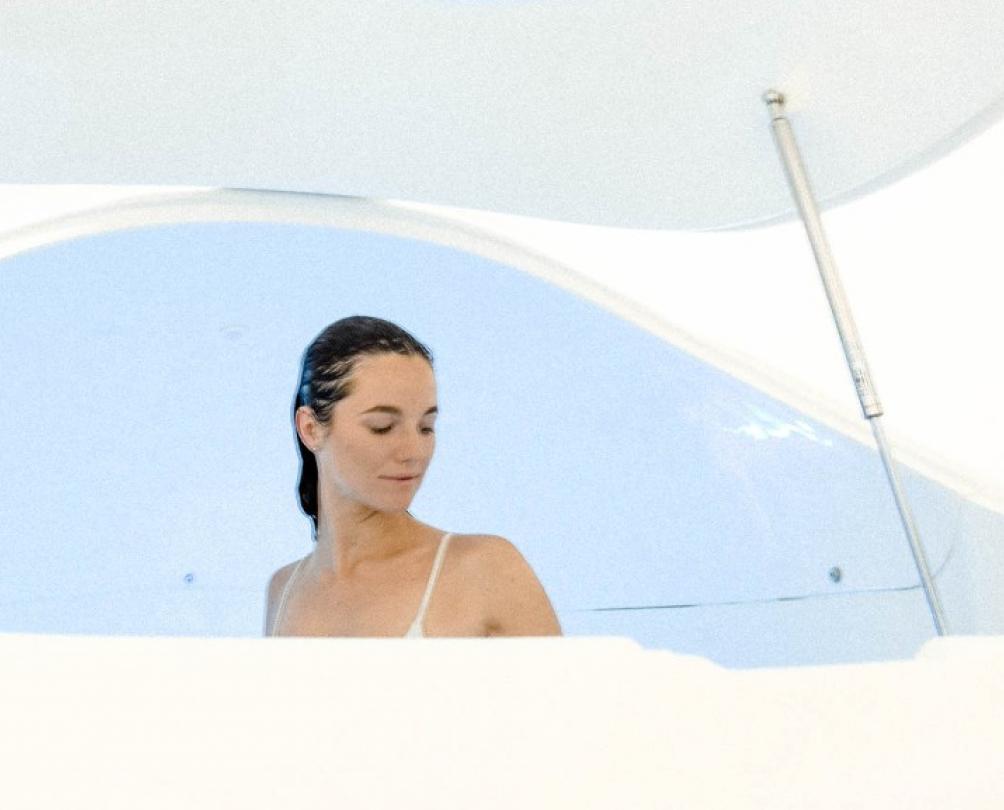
{"points": [[636, 113]]}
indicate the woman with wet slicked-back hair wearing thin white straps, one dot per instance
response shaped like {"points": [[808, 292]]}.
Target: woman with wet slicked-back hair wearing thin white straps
{"points": [[365, 417]]}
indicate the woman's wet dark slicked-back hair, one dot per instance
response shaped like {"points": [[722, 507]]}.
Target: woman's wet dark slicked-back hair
{"points": [[326, 379]]}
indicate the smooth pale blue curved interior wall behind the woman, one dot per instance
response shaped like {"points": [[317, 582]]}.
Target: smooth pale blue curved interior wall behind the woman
{"points": [[150, 469]]}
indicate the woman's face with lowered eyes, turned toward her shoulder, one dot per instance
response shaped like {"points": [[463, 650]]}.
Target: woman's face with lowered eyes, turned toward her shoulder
{"points": [[380, 440]]}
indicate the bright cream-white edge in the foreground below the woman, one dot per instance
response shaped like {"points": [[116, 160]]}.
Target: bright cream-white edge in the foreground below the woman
{"points": [[584, 723]]}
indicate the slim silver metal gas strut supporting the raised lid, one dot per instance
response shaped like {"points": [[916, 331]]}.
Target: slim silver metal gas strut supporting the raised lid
{"points": [[872, 408]]}
